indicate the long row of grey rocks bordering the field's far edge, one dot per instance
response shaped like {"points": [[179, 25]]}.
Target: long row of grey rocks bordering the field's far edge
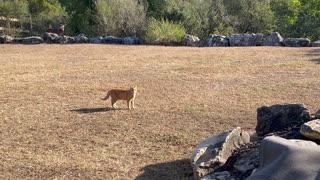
{"points": [[213, 40]]}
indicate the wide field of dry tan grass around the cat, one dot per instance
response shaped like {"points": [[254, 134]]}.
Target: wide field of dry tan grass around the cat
{"points": [[54, 125]]}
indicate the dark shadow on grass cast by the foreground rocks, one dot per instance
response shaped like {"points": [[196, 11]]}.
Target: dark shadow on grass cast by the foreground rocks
{"points": [[180, 169]]}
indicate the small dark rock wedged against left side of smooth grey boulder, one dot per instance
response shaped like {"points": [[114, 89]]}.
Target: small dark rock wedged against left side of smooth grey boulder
{"points": [[247, 161]]}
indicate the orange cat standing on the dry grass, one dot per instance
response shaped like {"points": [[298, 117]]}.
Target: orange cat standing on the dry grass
{"points": [[119, 94]]}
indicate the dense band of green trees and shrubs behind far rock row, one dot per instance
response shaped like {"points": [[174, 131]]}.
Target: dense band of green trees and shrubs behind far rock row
{"points": [[292, 18]]}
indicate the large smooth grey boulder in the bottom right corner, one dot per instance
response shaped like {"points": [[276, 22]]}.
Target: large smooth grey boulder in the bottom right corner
{"points": [[287, 159]]}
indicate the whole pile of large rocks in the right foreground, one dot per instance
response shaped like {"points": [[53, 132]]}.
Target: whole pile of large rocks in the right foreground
{"points": [[281, 148]]}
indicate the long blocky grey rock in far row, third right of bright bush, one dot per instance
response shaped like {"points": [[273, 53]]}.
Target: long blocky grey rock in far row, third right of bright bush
{"points": [[246, 39]]}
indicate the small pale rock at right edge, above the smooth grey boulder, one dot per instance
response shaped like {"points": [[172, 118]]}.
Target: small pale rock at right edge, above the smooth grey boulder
{"points": [[311, 129]]}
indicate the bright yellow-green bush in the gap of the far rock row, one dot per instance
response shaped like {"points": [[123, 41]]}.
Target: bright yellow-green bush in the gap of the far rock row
{"points": [[164, 32]]}
